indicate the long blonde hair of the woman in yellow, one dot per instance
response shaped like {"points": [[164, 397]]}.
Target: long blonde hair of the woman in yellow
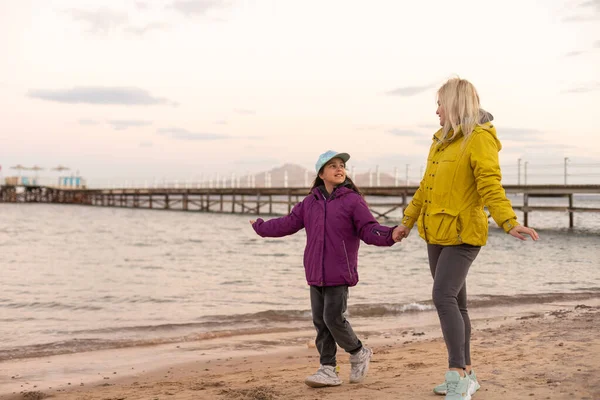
{"points": [[460, 101]]}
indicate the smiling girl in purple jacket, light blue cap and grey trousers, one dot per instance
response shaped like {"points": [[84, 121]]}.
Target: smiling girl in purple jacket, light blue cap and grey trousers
{"points": [[336, 218]]}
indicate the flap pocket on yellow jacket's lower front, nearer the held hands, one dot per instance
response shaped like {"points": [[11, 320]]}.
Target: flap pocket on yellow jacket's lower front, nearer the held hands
{"points": [[441, 226]]}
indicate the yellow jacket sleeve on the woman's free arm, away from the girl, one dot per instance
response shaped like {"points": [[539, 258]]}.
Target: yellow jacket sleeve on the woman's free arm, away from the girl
{"points": [[486, 169]]}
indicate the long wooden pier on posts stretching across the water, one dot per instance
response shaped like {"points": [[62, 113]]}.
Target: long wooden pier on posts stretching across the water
{"points": [[269, 201]]}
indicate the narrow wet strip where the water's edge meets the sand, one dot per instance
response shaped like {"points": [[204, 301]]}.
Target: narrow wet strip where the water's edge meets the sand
{"points": [[264, 322]]}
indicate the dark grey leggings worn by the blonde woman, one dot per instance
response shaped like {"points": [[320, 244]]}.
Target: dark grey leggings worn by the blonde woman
{"points": [[449, 267]]}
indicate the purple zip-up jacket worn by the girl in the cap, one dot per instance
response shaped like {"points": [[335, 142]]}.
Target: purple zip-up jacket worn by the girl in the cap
{"points": [[334, 228]]}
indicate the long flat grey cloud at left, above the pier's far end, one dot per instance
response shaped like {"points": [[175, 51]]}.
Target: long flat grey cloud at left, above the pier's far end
{"points": [[99, 95]]}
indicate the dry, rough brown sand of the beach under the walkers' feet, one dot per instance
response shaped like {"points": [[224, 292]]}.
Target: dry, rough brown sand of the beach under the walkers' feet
{"points": [[550, 354]]}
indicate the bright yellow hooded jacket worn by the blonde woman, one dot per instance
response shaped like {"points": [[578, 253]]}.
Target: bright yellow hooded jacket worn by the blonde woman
{"points": [[461, 177]]}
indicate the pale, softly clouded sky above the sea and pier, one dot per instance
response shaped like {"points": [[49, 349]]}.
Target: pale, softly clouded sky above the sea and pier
{"points": [[186, 89]]}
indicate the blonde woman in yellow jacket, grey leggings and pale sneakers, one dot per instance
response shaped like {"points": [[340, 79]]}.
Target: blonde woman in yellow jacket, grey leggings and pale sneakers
{"points": [[462, 176]]}
